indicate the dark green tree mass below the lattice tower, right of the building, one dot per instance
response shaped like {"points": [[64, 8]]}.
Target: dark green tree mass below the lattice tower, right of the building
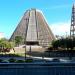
{"points": [[64, 43]]}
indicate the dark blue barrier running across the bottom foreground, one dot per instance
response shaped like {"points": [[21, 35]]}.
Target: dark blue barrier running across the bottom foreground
{"points": [[37, 69]]}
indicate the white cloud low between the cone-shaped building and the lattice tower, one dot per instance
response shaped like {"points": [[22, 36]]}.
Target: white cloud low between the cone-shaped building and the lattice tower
{"points": [[61, 28]]}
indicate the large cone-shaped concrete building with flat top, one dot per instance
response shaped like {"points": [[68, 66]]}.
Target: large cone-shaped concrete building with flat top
{"points": [[34, 29]]}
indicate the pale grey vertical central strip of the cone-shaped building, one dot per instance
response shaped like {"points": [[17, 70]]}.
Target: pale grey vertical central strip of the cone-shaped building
{"points": [[32, 33]]}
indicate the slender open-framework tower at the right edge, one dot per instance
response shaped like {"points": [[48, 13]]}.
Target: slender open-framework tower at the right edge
{"points": [[72, 29]]}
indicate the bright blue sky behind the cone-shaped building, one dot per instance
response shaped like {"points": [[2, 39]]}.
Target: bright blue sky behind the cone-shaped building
{"points": [[56, 12]]}
